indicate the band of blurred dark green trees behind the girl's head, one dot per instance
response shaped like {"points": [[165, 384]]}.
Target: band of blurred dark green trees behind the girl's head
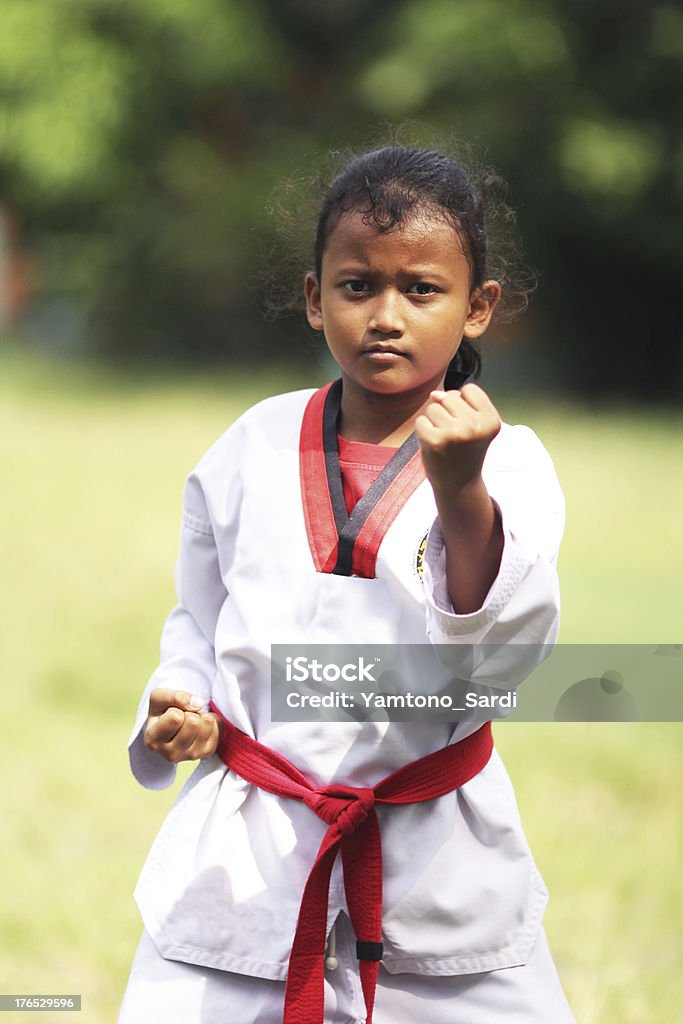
{"points": [[141, 139]]}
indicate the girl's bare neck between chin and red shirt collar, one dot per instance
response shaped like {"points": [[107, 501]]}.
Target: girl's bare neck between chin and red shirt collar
{"points": [[380, 419]]}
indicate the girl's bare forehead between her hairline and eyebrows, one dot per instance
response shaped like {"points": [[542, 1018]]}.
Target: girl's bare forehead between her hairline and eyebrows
{"points": [[422, 238]]}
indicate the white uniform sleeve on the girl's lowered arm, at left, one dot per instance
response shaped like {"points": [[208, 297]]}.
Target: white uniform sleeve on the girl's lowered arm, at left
{"points": [[188, 658]]}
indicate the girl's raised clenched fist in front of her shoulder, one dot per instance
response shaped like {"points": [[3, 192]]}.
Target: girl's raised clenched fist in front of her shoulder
{"points": [[455, 432]]}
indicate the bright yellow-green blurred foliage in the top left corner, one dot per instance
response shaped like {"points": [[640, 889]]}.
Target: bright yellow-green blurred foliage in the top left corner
{"points": [[76, 77]]}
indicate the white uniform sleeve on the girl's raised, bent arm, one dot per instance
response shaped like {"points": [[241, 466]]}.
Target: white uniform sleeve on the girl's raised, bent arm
{"points": [[517, 627]]}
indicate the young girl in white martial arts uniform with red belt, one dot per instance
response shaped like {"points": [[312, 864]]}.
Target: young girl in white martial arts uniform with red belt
{"points": [[307, 524]]}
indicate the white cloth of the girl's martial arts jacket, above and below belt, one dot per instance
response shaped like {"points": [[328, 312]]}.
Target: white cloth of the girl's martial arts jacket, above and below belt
{"points": [[223, 883]]}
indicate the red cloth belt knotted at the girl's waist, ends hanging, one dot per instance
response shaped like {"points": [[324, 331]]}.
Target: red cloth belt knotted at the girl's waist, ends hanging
{"points": [[354, 829]]}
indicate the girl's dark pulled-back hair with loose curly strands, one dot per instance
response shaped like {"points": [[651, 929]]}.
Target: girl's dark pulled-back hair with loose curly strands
{"points": [[392, 185]]}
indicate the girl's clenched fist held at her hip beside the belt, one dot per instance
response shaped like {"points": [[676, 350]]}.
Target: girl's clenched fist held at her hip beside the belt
{"points": [[179, 730]]}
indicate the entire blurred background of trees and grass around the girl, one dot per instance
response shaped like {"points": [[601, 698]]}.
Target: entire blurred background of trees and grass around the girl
{"points": [[141, 143]]}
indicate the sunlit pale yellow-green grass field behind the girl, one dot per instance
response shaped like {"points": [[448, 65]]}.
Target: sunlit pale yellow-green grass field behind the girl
{"points": [[93, 470]]}
